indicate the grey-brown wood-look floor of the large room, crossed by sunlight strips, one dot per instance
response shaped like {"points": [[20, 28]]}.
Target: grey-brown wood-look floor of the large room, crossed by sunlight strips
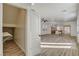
{"points": [[49, 43]]}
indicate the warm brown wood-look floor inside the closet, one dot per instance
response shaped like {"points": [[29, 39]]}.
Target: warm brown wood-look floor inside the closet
{"points": [[11, 49]]}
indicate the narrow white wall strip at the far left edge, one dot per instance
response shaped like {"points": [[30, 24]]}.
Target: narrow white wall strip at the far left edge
{"points": [[1, 39]]}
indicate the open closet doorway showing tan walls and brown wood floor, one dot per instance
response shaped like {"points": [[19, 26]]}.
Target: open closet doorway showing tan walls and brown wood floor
{"points": [[13, 30]]}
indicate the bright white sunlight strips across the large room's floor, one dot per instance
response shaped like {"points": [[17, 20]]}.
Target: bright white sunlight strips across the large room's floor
{"points": [[55, 45]]}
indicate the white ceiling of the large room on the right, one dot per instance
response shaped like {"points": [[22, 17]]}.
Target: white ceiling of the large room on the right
{"points": [[56, 11]]}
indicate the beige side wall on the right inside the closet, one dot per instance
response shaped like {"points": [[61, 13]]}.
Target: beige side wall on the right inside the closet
{"points": [[20, 29]]}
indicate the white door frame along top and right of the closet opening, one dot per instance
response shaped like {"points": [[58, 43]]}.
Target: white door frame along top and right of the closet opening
{"points": [[21, 6]]}
